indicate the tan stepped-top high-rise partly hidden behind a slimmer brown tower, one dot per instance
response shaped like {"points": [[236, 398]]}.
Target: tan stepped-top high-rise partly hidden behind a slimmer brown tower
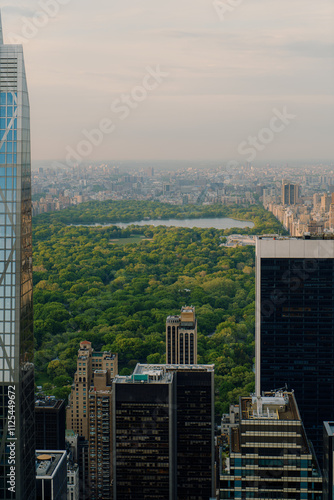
{"points": [[88, 361]]}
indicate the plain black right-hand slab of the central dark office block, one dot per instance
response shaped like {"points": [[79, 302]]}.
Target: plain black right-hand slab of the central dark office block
{"points": [[195, 431]]}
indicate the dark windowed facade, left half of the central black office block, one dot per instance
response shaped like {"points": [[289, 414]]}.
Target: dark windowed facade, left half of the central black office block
{"points": [[142, 441]]}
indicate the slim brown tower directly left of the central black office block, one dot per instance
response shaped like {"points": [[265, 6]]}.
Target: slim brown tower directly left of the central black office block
{"points": [[100, 436]]}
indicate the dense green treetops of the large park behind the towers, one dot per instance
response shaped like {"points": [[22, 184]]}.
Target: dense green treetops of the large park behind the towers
{"points": [[116, 287]]}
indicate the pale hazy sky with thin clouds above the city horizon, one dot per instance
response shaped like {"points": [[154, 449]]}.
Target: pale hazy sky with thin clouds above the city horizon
{"points": [[241, 80]]}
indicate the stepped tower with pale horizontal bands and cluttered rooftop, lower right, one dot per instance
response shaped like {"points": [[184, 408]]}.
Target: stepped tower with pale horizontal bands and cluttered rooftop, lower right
{"points": [[269, 455]]}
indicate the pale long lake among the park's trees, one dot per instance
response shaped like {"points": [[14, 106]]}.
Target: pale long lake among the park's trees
{"points": [[217, 223]]}
